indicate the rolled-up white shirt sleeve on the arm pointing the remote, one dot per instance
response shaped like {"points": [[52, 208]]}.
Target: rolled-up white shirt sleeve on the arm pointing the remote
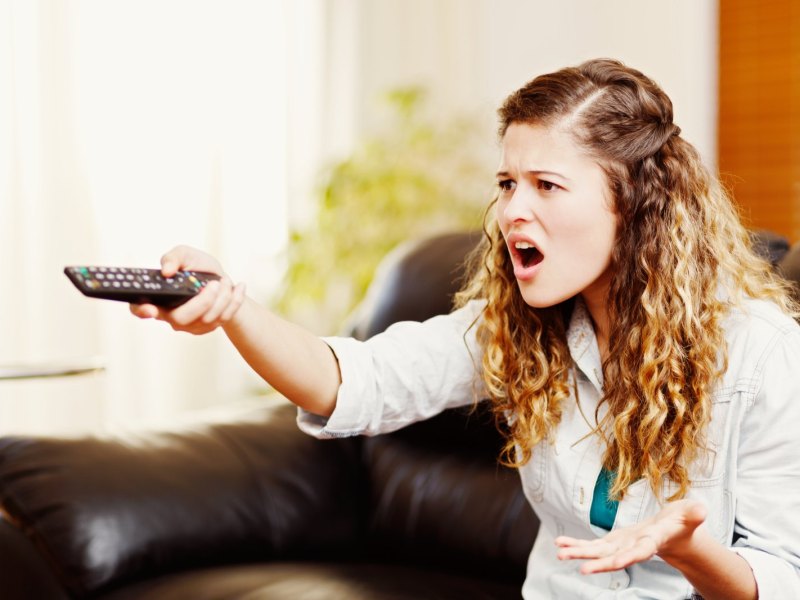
{"points": [[410, 372]]}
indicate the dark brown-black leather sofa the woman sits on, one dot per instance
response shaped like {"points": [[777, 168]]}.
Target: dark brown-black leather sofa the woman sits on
{"points": [[247, 507]]}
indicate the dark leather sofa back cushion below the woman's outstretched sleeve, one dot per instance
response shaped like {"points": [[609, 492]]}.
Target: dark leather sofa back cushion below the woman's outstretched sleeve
{"points": [[448, 507]]}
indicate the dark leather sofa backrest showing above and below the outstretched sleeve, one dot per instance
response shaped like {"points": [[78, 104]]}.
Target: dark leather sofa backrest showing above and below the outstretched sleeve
{"points": [[437, 493]]}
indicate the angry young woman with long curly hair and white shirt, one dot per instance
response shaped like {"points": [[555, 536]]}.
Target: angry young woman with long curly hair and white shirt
{"points": [[641, 358]]}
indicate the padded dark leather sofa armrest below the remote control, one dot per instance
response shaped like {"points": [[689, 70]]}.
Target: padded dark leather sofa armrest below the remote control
{"points": [[104, 511]]}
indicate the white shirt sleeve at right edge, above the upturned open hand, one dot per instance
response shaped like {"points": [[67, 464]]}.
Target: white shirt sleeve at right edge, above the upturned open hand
{"points": [[768, 474]]}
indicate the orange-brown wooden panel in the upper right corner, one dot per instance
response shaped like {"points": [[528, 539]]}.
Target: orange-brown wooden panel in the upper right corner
{"points": [[759, 110]]}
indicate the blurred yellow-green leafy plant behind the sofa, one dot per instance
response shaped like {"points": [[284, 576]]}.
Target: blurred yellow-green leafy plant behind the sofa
{"points": [[419, 177]]}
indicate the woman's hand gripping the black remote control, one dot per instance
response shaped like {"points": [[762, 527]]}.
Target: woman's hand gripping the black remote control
{"points": [[215, 305]]}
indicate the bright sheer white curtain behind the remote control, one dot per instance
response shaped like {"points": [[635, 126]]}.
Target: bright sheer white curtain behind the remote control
{"points": [[127, 127]]}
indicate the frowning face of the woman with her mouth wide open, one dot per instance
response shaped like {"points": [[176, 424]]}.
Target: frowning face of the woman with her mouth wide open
{"points": [[555, 212]]}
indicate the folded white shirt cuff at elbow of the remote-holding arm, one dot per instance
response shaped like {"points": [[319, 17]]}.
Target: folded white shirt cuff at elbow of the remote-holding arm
{"points": [[349, 415]]}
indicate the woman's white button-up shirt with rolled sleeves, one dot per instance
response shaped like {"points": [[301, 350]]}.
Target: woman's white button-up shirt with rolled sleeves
{"points": [[750, 483]]}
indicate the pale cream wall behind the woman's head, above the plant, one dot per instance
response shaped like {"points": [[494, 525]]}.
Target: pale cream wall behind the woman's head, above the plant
{"points": [[472, 53]]}
